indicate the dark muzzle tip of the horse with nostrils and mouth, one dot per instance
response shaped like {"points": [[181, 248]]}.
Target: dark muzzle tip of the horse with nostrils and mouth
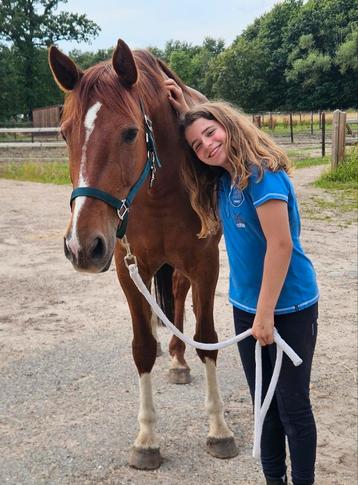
{"points": [[93, 258]]}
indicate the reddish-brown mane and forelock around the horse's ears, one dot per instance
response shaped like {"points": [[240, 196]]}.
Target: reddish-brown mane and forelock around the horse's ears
{"points": [[101, 82]]}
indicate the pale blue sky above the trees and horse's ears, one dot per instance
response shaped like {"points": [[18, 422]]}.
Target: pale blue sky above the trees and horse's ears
{"points": [[151, 23]]}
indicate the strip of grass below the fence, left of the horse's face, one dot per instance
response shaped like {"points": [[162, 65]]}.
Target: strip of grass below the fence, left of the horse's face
{"points": [[43, 172]]}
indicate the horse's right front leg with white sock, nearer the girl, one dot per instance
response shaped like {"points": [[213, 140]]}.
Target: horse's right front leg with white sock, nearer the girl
{"points": [[220, 440]]}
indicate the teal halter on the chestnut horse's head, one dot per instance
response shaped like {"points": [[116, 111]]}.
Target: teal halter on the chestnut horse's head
{"points": [[122, 205]]}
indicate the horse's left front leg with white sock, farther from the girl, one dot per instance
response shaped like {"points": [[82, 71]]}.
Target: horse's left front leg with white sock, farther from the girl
{"points": [[145, 453]]}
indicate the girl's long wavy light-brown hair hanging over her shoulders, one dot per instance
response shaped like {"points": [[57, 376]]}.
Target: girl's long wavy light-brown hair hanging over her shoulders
{"points": [[246, 146]]}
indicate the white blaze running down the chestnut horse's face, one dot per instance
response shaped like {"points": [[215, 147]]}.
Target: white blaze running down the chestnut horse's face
{"points": [[89, 124]]}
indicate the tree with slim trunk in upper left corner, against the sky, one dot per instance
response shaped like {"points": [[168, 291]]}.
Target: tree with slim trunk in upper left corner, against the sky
{"points": [[31, 24]]}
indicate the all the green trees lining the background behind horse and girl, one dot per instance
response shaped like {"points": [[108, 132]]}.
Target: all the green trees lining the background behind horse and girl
{"points": [[299, 56]]}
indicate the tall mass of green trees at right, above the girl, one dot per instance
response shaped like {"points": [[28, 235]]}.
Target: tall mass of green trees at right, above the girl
{"points": [[298, 56]]}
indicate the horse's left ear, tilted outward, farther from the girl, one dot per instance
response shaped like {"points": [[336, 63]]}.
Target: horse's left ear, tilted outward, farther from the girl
{"points": [[64, 70]]}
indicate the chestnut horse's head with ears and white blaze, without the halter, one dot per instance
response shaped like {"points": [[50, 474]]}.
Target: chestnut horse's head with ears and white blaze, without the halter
{"points": [[102, 124]]}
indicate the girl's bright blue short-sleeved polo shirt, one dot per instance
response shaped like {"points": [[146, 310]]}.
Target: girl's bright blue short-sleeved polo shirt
{"points": [[246, 243]]}
